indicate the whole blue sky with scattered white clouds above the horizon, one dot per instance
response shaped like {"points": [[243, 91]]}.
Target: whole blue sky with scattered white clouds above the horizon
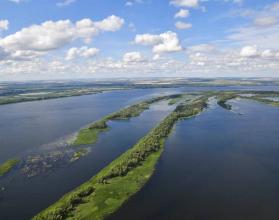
{"points": [[95, 39]]}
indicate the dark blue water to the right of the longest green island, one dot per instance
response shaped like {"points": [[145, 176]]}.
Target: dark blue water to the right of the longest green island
{"points": [[219, 165]]}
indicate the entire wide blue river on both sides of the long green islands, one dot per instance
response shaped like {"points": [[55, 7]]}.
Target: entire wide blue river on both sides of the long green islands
{"points": [[217, 164]]}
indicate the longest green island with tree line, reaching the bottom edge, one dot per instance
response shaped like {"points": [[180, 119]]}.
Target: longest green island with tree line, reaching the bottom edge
{"points": [[104, 193]]}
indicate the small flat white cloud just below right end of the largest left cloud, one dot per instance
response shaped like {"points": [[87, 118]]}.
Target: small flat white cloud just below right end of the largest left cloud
{"points": [[84, 52]]}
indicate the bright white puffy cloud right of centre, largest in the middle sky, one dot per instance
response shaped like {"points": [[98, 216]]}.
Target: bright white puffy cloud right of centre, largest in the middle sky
{"points": [[162, 43]]}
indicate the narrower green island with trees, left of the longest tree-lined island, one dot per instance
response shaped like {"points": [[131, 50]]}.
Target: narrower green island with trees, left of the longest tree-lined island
{"points": [[90, 134]]}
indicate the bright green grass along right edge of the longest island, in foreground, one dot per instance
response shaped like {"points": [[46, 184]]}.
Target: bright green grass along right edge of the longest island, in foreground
{"points": [[107, 198]]}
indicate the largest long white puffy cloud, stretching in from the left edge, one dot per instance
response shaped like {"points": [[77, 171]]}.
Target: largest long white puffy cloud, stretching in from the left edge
{"points": [[50, 35]]}
